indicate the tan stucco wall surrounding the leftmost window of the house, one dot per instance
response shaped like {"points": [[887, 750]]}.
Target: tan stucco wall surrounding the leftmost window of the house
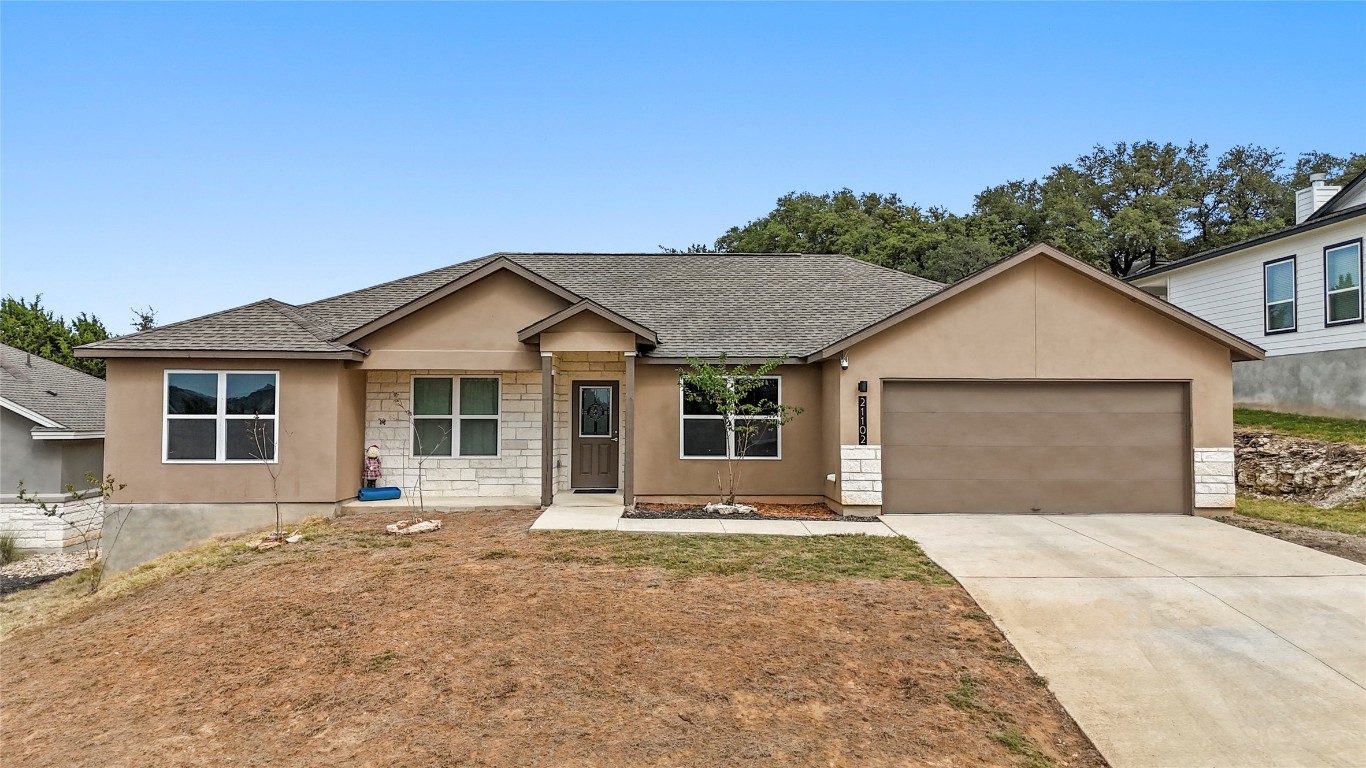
{"points": [[312, 396]]}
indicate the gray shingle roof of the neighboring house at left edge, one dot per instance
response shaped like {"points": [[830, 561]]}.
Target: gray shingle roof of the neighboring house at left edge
{"points": [[61, 394]]}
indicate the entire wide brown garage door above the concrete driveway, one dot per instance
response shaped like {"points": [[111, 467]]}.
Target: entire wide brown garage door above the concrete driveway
{"points": [[1048, 448]]}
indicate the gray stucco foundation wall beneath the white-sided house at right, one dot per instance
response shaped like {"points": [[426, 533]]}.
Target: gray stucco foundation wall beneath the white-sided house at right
{"points": [[1328, 383]]}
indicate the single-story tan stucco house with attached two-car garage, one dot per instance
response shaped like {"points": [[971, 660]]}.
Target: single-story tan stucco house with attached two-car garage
{"points": [[1036, 386]]}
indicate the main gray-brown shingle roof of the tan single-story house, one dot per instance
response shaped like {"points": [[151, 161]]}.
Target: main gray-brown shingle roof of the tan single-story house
{"points": [[700, 305]]}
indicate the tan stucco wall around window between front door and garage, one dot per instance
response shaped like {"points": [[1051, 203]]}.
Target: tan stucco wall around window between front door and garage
{"points": [[662, 472]]}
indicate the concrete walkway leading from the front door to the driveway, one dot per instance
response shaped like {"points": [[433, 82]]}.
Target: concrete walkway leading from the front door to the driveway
{"points": [[592, 512]]}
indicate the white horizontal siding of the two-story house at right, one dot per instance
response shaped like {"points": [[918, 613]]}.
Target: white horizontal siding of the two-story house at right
{"points": [[1229, 293]]}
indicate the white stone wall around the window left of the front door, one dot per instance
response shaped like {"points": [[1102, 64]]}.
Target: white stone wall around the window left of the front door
{"points": [[516, 472]]}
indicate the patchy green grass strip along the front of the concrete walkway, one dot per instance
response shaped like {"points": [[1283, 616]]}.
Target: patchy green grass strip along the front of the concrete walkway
{"points": [[793, 558]]}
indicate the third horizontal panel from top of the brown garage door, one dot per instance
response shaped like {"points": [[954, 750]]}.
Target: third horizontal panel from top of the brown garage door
{"points": [[996, 463]]}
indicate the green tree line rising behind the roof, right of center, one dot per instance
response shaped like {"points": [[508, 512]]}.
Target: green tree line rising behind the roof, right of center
{"points": [[1122, 208]]}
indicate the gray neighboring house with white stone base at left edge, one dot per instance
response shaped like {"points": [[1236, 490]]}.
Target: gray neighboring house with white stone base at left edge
{"points": [[51, 437]]}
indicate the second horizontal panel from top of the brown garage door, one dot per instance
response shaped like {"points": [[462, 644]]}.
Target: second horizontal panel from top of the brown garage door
{"points": [[1032, 428]]}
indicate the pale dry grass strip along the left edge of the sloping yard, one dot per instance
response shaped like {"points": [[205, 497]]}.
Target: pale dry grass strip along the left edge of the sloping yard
{"points": [[68, 595]]}
